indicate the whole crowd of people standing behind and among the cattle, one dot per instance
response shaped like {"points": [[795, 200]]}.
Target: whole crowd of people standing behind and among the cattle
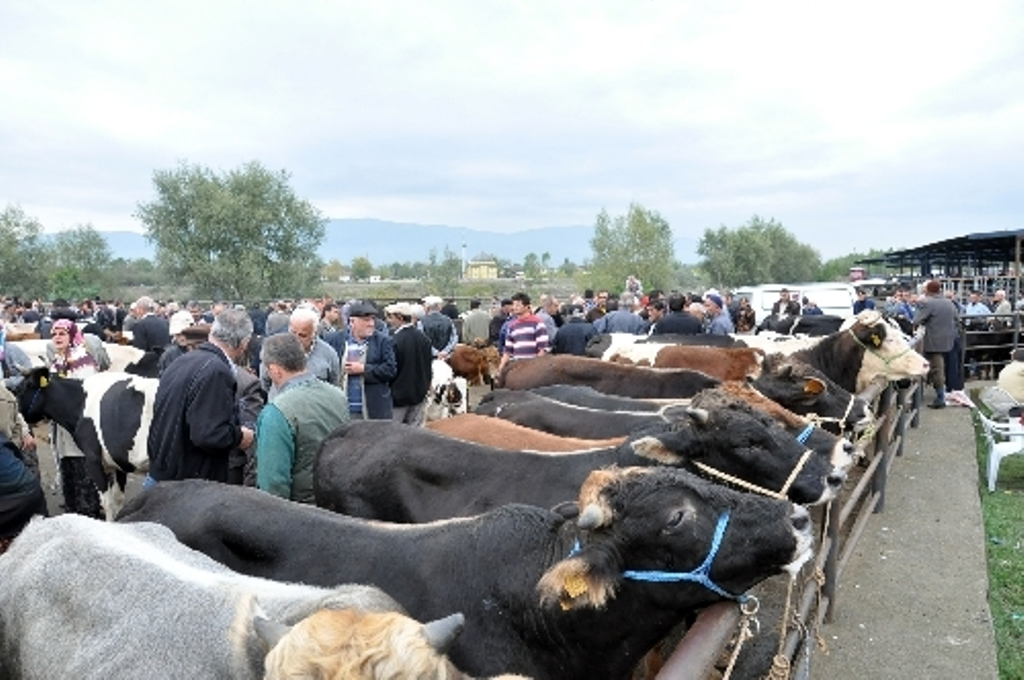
{"points": [[247, 395]]}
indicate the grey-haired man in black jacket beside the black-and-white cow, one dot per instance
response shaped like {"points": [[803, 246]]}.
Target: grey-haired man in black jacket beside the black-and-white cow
{"points": [[195, 416]]}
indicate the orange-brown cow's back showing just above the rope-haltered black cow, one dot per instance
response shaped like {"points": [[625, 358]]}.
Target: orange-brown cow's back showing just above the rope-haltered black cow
{"points": [[510, 437]]}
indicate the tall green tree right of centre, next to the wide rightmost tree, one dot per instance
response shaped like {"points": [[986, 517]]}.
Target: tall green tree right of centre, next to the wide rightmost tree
{"points": [[638, 243]]}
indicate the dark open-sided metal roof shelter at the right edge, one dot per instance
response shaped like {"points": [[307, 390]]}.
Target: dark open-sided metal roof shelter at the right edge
{"points": [[987, 260]]}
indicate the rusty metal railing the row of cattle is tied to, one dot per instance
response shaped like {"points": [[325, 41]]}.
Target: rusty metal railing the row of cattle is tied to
{"points": [[720, 628]]}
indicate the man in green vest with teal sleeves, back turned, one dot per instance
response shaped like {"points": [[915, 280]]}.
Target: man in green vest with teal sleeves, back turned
{"points": [[304, 412]]}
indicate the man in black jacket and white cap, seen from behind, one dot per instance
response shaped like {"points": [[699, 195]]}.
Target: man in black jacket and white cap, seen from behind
{"points": [[412, 353]]}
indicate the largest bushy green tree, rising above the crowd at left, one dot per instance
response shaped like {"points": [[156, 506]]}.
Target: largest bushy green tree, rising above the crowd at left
{"points": [[240, 235]]}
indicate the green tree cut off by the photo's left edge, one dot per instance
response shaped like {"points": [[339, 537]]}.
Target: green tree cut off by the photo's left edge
{"points": [[25, 258]]}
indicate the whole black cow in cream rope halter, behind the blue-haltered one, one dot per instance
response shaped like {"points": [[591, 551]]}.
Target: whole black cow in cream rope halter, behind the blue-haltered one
{"points": [[380, 471]]}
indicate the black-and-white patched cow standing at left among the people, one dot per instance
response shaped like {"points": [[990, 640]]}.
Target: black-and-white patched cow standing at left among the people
{"points": [[109, 416]]}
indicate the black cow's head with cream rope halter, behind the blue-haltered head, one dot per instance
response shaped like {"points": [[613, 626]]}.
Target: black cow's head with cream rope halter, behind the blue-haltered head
{"points": [[746, 450]]}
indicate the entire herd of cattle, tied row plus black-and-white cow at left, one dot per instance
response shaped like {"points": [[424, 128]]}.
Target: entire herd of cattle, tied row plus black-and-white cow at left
{"points": [[585, 509]]}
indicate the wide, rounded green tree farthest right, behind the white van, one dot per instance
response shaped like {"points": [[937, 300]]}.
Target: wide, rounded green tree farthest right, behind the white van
{"points": [[759, 252]]}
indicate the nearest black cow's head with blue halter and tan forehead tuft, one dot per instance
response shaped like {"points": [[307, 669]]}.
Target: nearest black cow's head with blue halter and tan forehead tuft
{"points": [[666, 521]]}
